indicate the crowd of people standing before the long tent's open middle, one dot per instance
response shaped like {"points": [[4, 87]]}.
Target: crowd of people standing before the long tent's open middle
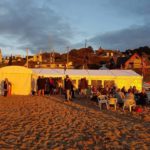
{"points": [[56, 86]]}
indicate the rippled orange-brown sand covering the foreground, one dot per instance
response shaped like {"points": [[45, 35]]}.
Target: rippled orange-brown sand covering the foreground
{"points": [[32, 122]]}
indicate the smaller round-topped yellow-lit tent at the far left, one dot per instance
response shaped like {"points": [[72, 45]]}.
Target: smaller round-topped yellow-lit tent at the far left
{"points": [[19, 77]]}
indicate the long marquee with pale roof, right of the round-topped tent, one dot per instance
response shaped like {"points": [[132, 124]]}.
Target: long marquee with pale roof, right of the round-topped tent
{"points": [[121, 78]]}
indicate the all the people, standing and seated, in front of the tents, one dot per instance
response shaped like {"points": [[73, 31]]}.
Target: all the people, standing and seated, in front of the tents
{"points": [[52, 86]]}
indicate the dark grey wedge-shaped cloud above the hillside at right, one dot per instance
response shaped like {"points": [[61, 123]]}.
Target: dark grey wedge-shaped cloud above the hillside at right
{"points": [[132, 37]]}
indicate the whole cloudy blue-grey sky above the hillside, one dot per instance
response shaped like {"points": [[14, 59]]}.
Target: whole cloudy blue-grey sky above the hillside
{"points": [[48, 25]]}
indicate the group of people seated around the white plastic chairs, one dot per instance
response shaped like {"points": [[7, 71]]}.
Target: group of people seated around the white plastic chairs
{"points": [[122, 95]]}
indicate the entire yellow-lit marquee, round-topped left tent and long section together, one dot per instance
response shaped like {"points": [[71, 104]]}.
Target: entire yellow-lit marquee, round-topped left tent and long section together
{"points": [[24, 80]]}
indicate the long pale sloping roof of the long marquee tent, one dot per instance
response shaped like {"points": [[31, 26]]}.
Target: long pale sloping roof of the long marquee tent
{"points": [[84, 72]]}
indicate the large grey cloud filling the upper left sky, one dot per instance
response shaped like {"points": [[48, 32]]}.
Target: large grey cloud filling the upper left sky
{"points": [[33, 24]]}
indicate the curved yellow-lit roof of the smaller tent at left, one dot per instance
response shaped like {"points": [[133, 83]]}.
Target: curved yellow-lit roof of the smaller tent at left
{"points": [[15, 69]]}
